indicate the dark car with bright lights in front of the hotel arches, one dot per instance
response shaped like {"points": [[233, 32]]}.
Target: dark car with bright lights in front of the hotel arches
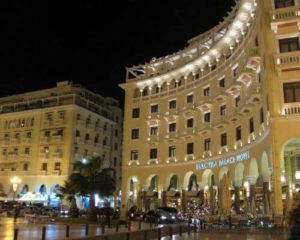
{"points": [[162, 215]]}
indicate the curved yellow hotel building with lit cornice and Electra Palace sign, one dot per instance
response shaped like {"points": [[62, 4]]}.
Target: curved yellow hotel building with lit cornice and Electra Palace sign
{"points": [[218, 123]]}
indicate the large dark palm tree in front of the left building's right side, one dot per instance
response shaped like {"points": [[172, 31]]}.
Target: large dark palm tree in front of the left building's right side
{"points": [[92, 179]]}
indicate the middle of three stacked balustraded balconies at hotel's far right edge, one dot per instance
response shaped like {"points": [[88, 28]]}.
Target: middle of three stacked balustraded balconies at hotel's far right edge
{"points": [[287, 60]]}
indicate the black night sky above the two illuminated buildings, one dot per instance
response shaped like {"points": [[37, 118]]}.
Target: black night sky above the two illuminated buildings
{"points": [[91, 42]]}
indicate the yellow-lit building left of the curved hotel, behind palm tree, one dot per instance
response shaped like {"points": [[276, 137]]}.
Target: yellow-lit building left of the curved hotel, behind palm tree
{"points": [[43, 133]]}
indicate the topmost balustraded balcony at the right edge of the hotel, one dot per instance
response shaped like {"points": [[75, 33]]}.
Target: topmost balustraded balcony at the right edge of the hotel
{"points": [[285, 16]]}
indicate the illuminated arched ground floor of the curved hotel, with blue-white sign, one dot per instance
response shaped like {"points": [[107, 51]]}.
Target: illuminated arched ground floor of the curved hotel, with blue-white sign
{"points": [[260, 178]]}
